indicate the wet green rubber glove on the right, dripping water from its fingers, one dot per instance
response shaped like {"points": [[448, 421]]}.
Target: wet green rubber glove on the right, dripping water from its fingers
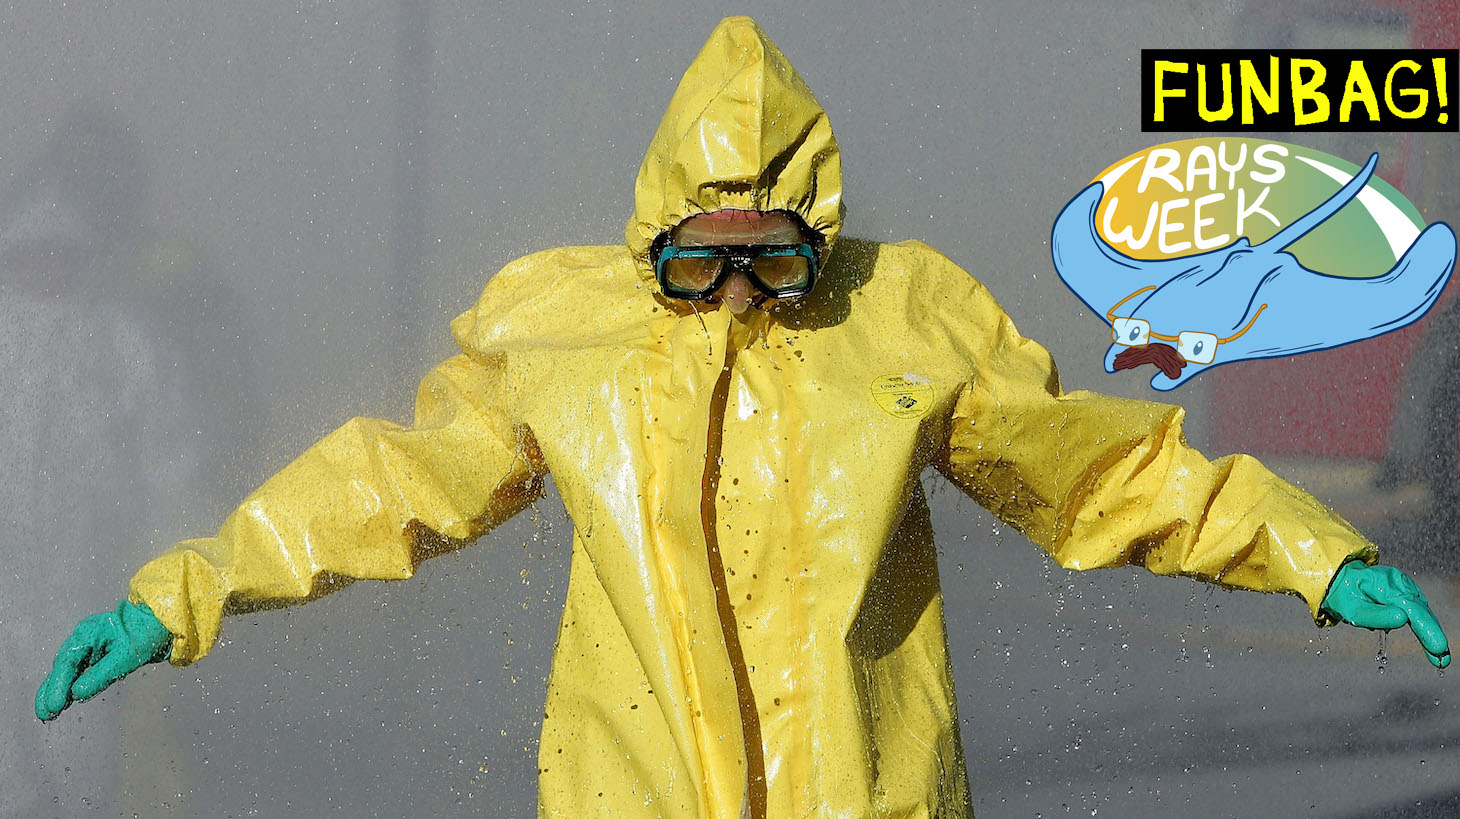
{"points": [[1385, 598]]}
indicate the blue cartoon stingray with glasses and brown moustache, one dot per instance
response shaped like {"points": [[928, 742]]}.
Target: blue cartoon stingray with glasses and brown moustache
{"points": [[1240, 301]]}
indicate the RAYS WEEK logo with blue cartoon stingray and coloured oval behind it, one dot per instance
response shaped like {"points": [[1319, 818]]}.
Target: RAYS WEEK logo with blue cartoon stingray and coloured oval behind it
{"points": [[1211, 252]]}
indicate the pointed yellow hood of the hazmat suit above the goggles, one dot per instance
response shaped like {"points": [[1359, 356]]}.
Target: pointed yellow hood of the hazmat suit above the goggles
{"points": [[742, 132]]}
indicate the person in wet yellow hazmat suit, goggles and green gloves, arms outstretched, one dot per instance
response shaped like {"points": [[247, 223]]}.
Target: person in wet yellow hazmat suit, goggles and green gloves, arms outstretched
{"points": [[754, 624]]}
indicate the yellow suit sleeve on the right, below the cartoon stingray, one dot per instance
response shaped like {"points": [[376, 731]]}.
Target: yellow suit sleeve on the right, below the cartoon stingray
{"points": [[1099, 481]]}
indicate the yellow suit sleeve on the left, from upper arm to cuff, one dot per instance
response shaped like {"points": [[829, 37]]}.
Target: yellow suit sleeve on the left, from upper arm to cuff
{"points": [[370, 501]]}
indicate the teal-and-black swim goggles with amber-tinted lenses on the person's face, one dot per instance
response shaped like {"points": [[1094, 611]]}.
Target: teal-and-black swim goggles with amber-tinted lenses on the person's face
{"points": [[697, 272]]}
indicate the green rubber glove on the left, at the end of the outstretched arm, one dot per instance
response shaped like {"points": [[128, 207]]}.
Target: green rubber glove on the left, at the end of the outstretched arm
{"points": [[103, 650]]}
